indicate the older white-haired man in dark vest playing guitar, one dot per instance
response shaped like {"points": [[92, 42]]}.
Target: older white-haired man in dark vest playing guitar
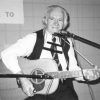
{"points": [[33, 47]]}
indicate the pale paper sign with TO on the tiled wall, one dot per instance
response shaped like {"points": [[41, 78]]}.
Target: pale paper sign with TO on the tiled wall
{"points": [[11, 12]]}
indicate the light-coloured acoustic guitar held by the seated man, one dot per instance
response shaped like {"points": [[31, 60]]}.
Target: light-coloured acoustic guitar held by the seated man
{"points": [[46, 67]]}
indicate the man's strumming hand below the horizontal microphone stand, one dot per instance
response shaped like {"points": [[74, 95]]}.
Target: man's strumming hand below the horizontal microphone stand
{"points": [[27, 86]]}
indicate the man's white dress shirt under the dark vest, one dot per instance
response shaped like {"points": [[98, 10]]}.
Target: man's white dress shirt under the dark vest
{"points": [[24, 47]]}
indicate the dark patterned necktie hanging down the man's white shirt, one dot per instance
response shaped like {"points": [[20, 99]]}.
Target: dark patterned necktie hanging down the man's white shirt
{"points": [[55, 55]]}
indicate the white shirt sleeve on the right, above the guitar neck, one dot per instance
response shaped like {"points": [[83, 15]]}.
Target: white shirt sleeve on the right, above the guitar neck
{"points": [[72, 59]]}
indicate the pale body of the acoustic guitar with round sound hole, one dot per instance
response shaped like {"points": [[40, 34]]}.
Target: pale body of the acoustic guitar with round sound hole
{"points": [[40, 67]]}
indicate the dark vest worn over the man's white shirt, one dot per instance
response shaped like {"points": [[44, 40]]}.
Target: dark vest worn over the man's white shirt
{"points": [[39, 46]]}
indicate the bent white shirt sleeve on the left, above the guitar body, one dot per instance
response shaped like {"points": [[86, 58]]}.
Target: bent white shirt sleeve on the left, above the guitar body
{"points": [[23, 47]]}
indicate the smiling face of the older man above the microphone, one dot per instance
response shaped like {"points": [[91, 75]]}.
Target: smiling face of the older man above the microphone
{"points": [[55, 21]]}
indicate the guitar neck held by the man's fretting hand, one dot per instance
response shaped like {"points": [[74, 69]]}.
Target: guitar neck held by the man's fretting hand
{"points": [[69, 74]]}
